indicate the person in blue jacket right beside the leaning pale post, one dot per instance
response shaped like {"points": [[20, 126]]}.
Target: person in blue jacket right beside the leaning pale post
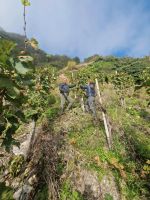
{"points": [[90, 94]]}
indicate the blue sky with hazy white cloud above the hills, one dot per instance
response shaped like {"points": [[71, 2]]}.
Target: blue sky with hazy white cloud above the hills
{"points": [[83, 27]]}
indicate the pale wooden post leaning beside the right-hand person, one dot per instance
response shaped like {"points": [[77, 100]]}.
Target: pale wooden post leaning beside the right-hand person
{"points": [[107, 131]]}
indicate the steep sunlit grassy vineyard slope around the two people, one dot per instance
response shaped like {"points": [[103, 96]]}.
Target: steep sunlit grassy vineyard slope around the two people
{"points": [[67, 156]]}
